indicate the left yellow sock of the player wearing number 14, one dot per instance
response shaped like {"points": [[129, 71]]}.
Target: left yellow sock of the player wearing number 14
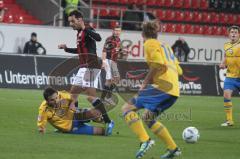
{"points": [[136, 125]]}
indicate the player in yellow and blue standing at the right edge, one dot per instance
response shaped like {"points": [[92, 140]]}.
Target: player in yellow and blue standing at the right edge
{"points": [[232, 63]]}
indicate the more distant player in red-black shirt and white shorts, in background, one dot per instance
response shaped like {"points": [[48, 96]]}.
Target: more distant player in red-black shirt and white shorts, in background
{"points": [[110, 55]]}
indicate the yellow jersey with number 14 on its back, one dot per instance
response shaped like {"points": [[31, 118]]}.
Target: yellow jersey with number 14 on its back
{"points": [[160, 55]]}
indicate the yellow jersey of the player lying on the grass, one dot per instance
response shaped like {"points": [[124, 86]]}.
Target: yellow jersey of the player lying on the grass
{"points": [[60, 117]]}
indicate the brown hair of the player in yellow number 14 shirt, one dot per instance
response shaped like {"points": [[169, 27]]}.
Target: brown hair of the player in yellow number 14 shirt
{"points": [[150, 29]]}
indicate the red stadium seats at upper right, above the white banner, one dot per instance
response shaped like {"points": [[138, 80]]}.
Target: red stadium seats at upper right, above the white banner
{"points": [[177, 16]]}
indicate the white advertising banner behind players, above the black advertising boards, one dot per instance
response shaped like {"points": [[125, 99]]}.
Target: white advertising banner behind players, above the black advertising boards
{"points": [[207, 49]]}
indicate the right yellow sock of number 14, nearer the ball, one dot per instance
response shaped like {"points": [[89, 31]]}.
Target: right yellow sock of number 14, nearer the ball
{"points": [[161, 131]]}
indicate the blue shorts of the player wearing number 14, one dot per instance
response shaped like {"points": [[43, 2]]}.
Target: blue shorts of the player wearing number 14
{"points": [[153, 99]]}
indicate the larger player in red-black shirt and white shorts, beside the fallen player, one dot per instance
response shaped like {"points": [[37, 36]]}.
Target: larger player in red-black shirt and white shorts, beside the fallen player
{"points": [[89, 71]]}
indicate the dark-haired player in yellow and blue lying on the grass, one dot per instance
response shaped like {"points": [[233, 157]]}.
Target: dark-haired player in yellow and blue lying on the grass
{"points": [[59, 110]]}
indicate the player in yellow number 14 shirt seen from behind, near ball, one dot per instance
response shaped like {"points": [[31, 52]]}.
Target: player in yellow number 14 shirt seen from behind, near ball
{"points": [[158, 92]]}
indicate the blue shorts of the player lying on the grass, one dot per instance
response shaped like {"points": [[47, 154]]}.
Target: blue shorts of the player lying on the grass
{"points": [[79, 127]]}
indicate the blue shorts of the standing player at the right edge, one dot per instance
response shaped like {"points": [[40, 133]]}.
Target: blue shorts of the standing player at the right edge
{"points": [[232, 84]]}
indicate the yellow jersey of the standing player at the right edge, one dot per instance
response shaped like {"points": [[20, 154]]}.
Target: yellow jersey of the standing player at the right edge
{"points": [[232, 56]]}
